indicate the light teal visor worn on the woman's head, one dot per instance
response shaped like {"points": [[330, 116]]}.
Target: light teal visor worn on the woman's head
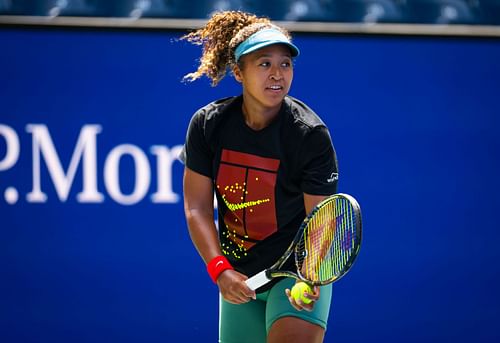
{"points": [[264, 38]]}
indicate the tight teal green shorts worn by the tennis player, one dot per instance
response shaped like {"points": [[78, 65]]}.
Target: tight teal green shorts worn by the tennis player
{"points": [[251, 322]]}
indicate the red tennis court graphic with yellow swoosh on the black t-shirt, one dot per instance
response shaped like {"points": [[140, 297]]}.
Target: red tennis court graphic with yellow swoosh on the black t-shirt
{"points": [[246, 184]]}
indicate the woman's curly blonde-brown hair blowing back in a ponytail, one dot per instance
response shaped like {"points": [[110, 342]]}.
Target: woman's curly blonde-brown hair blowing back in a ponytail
{"points": [[221, 35]]}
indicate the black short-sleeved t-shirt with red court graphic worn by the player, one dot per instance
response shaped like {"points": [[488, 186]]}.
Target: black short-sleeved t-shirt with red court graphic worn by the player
{"points": [[260, 176]]}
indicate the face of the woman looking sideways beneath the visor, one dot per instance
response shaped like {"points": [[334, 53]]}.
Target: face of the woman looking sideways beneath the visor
{"points": [[266, 75]]}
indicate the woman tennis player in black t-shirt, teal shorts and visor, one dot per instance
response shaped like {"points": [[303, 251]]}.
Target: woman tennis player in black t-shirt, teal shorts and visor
{"points": [[269, 159]]}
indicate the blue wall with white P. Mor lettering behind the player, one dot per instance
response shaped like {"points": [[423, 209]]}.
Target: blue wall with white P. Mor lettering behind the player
{"points": [[415, 121]]}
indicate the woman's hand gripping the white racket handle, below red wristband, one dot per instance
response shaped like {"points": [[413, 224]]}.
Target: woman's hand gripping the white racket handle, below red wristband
{"points": [[233, 288]]}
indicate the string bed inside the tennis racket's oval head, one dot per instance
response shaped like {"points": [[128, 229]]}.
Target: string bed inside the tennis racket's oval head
{"points": [[328, 242]]}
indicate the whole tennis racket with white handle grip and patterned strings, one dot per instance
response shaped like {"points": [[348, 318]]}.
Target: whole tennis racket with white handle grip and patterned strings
{"points": [[325, 247]]}
